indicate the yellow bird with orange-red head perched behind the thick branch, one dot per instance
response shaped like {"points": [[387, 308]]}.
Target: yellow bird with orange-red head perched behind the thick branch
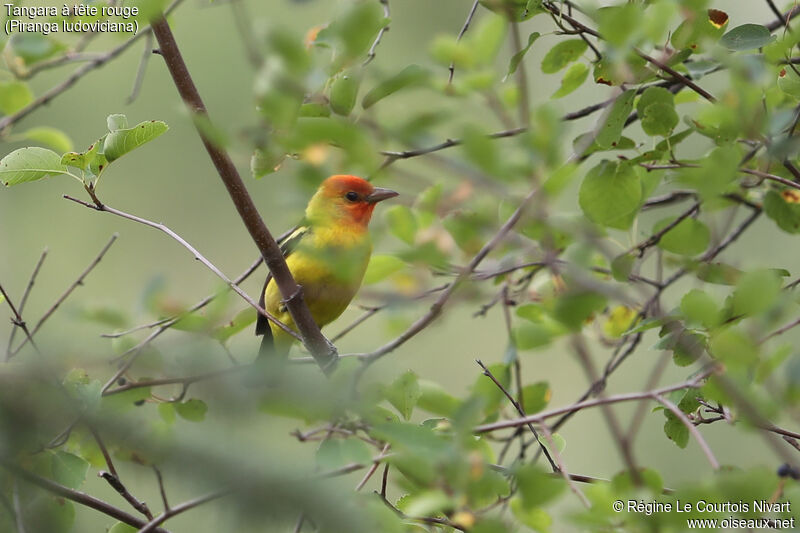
{"points": [[327, 254]]}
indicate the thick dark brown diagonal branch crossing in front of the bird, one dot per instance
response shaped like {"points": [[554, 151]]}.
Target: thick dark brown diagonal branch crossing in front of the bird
{"points": [[321, 349]]}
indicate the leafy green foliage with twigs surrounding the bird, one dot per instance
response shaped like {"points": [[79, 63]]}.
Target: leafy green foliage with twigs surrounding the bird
{"points": [[562, 244]]}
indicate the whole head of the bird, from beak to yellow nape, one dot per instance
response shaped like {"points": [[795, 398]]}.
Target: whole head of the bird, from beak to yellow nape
{"points": [[346, 199]]}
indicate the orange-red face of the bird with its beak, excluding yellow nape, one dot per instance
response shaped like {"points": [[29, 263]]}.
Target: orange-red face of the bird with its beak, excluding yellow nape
{"points": [[353, 198]]}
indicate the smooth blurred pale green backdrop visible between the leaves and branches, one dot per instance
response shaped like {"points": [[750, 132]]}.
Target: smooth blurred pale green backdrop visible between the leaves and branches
{"points": [[172, 181]]}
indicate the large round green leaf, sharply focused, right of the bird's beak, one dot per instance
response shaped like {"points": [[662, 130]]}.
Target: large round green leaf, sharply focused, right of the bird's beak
{"points": [[610, 194]]}
